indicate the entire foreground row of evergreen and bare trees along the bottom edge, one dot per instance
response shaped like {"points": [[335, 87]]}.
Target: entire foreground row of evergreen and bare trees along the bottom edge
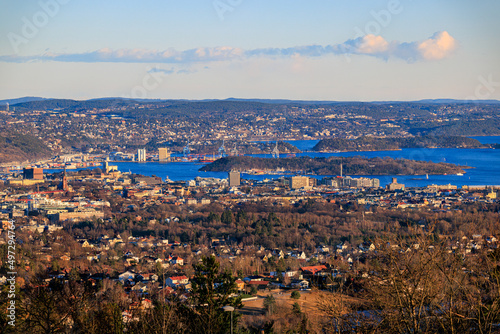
{"points": [[415, 284]]}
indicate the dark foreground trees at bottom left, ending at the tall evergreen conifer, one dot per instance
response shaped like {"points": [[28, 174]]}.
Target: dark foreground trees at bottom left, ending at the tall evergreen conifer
{"points": [[77, 305]]}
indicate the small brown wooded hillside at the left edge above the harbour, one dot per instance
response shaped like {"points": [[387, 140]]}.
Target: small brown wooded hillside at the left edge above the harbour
{"points": [[17, 147]]}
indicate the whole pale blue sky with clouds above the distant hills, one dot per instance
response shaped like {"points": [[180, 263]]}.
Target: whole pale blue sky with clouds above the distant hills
{"points": [[195, 49]]}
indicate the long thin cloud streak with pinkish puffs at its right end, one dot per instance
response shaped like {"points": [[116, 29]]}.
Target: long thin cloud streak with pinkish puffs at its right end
{"points": [[439, 46]]}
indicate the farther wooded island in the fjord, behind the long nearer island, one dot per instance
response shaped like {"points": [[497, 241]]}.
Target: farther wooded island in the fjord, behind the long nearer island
{"points": [[384, 144]]}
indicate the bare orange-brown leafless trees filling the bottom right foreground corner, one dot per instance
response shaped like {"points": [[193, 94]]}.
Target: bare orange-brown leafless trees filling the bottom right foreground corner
{"points": [[417, 285]]}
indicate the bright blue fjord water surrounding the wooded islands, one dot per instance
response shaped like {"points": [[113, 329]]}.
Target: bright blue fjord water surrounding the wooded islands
{"points": [[485, 165]]}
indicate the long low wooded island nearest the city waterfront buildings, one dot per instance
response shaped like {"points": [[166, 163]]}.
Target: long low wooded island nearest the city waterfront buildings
{"points": [[331, 166]]}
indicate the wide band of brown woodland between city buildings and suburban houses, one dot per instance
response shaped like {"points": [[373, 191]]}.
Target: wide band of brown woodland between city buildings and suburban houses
{"points": [[303, 225]]}
